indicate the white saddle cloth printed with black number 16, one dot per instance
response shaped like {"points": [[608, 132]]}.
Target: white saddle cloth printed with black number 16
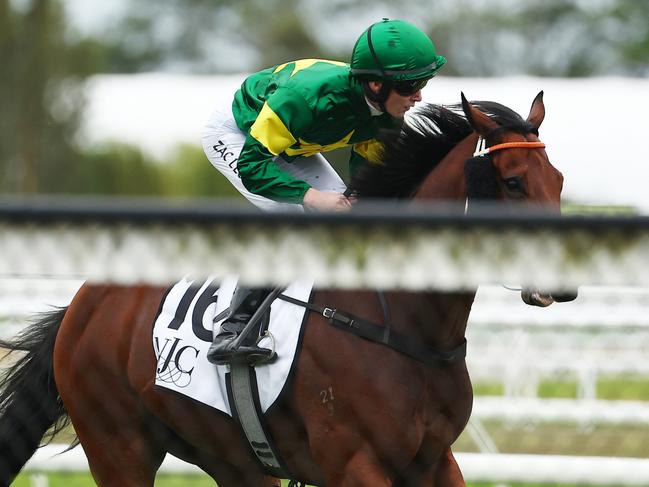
{"points": [[191, 314]]}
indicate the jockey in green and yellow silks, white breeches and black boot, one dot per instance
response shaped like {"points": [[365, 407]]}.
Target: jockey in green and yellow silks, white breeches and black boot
{"points": [[268, 141]]}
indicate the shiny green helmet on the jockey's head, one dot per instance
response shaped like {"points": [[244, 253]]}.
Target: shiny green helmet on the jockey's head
{"points": [[395, 50]]}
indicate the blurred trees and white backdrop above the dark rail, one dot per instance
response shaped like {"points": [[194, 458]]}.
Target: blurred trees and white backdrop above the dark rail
{"points": [[110, 97]]}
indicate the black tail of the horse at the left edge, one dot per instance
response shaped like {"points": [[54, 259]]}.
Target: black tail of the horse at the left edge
{"points": [[29, 401]]}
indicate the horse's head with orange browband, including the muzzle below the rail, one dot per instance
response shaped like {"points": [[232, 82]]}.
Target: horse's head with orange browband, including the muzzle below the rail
{"points": [[521, 170]]}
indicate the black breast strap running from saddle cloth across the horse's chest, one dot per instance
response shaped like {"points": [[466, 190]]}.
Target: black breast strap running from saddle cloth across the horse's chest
{"points": [[401, 343]]}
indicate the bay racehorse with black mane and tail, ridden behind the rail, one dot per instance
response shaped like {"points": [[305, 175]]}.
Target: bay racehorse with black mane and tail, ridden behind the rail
{"points": [[357, 414]]}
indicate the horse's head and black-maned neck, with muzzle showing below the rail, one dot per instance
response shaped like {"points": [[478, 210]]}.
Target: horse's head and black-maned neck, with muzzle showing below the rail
{"points": [[429, 159]]}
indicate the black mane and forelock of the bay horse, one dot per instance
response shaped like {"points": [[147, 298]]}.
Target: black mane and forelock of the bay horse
{"points": [[422, 143]]}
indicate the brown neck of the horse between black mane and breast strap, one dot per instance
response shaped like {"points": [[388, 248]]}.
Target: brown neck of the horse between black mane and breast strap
{"points": [[438, 318]]}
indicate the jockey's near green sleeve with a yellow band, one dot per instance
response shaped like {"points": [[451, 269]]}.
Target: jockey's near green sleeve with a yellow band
{"points": [[284, 116]]}
